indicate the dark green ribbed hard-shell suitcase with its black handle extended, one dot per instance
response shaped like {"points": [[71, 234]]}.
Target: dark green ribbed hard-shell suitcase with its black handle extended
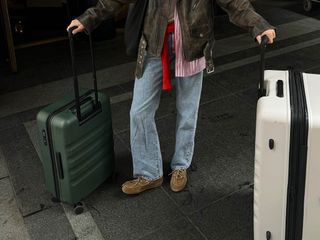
{"points": [[76, 141]]}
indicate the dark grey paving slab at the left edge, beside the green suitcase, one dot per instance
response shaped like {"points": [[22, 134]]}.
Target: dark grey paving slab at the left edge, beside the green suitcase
{"points": [[26, 175]]}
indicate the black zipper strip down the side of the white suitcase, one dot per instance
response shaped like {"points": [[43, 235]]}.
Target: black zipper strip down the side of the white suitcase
{"points": [[298, 157]]}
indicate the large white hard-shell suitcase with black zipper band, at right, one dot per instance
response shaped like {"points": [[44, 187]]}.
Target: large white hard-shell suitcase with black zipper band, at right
{"points": [[287, 157]]}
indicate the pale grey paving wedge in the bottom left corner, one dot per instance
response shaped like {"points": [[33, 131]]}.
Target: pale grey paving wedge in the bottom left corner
{"points": [[11, 222]]}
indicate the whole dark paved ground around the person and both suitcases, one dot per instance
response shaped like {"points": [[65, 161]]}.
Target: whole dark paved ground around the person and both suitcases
{"points": [[217, 204]]}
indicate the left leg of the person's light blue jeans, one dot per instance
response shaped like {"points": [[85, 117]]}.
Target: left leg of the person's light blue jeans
{"points": [[145, 146]]}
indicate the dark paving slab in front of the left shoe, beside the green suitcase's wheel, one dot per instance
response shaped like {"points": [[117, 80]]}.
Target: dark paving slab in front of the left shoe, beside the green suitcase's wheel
{"points": [[120, 217]]}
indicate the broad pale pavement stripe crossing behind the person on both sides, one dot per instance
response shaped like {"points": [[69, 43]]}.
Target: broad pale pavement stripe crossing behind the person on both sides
{"points": [[40, 95]]}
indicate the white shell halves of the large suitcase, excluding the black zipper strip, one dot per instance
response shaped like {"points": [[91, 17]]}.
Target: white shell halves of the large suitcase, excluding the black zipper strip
{"points": [[272, 164]]}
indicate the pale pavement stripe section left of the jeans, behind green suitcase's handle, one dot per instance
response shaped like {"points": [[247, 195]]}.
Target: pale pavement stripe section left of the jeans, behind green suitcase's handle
{"points": [[43, 94]]}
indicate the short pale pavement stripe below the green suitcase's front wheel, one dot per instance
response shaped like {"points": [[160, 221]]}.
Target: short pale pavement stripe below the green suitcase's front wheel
{"points": [[83, 225]]}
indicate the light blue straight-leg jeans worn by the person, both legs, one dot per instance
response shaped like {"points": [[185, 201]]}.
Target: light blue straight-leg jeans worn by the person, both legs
{"points": [[145, 146]]}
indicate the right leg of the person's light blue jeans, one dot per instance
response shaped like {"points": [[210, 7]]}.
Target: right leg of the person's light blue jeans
{"points": [[187, 102]]}
